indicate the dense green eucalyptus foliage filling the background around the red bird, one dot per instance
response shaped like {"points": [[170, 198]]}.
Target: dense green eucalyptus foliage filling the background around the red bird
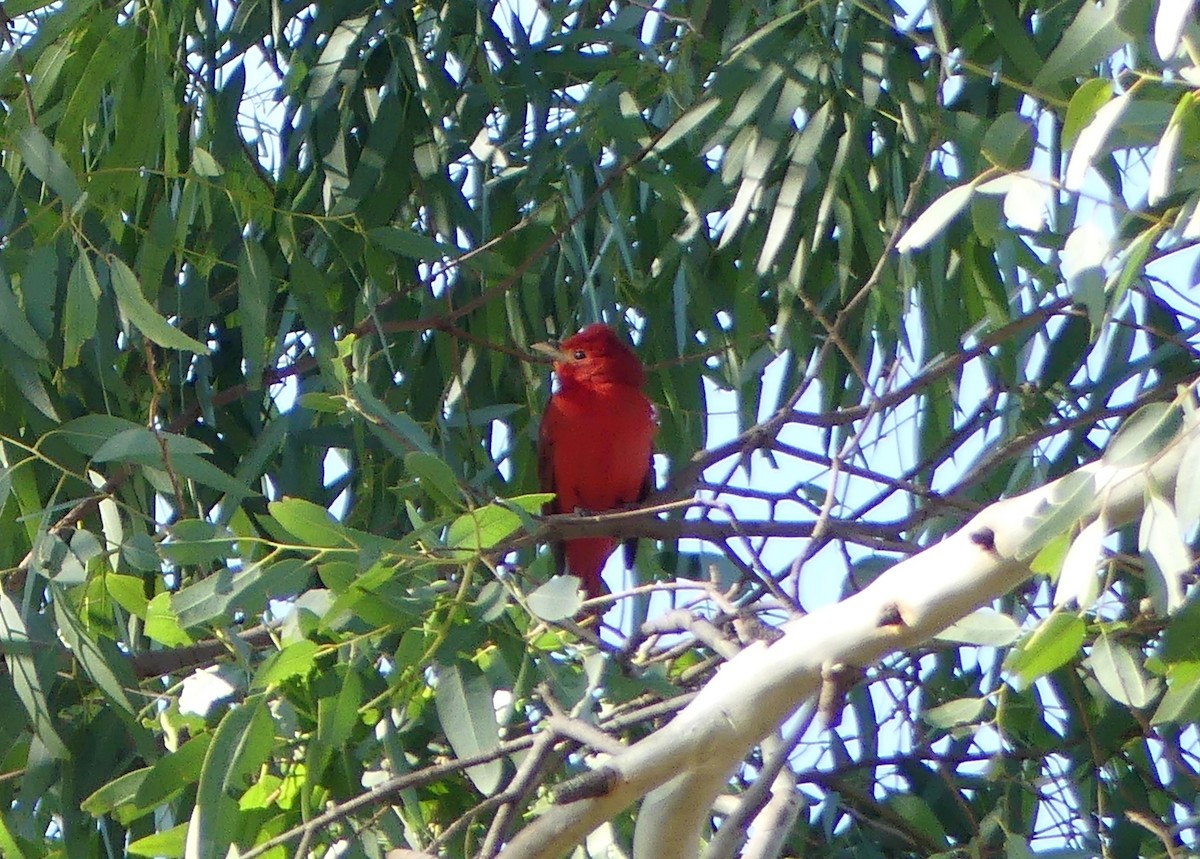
{"points": [[271, 261]]}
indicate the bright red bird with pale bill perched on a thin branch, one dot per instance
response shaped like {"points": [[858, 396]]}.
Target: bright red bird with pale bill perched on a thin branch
{"points": [[595, 447]]}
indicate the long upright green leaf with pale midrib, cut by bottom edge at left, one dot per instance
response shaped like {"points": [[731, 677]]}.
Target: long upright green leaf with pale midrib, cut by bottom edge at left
{"points": [[241, 746]]}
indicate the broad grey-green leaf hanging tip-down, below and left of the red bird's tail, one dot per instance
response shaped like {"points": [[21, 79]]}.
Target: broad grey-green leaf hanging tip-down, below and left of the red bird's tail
{"points": [[464, 699]]}
